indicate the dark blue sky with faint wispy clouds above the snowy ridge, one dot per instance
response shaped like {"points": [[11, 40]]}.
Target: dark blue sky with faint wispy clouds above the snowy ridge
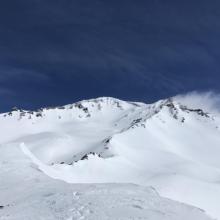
{"points": [[54, 52]]}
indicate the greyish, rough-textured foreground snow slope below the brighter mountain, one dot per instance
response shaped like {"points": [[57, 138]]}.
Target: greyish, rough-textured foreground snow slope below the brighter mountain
{"points": [[26, 193]]}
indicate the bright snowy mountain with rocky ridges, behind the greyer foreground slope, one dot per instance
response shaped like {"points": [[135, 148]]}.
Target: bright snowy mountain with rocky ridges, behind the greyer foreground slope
{"points": [[167, 145]]}
